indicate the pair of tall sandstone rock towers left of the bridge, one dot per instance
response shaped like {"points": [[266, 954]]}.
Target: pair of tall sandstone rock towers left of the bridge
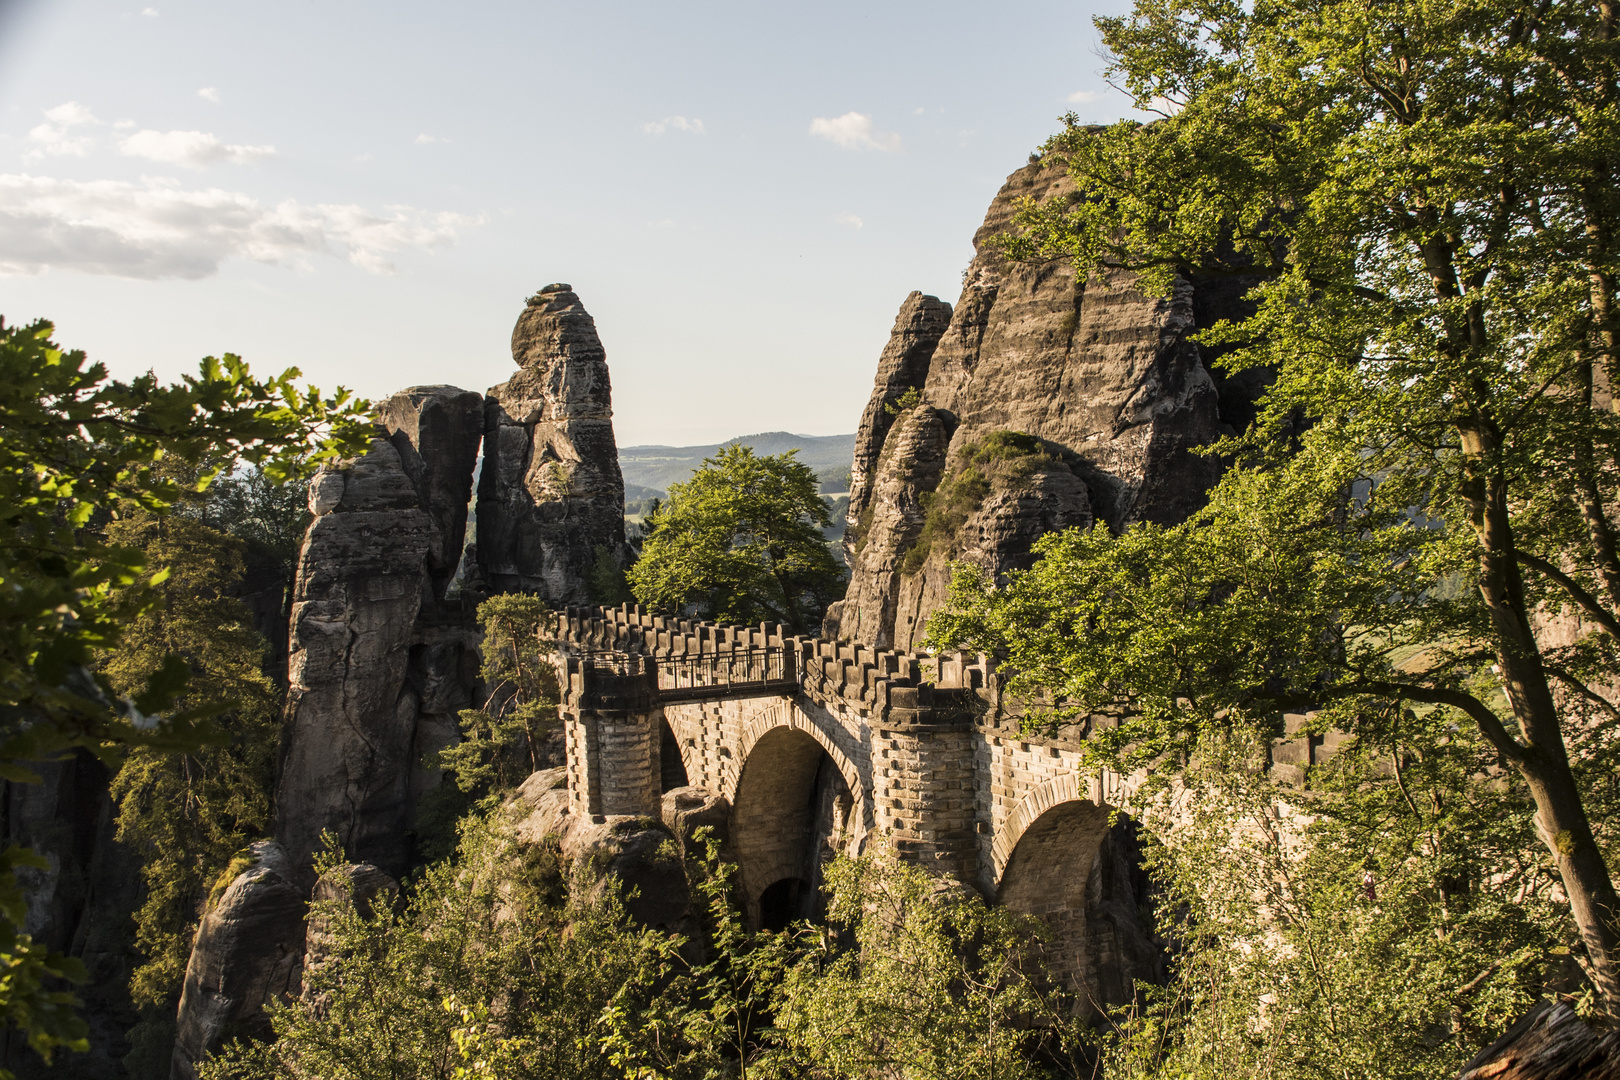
{"points": [[383, 647]]}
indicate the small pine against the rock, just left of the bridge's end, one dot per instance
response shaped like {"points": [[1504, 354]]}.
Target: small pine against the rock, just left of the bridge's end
{"points": [[506, 741]]}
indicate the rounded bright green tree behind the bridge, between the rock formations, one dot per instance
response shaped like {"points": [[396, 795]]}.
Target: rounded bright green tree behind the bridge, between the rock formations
{"points": [[741, 542]]}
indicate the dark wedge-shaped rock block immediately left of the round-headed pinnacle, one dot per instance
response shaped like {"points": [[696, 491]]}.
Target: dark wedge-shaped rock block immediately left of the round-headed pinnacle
{"points": [[438, 432]]}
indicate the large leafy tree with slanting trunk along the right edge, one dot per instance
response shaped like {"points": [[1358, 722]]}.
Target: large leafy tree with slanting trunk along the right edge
{"points": [[1422, 519]]}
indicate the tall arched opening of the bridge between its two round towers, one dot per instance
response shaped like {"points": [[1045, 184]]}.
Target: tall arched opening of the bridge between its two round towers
{"points": [[793, 814]]}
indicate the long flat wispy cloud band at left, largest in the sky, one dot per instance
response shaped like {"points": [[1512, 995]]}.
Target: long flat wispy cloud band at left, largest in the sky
{"points": [[158, 229]]}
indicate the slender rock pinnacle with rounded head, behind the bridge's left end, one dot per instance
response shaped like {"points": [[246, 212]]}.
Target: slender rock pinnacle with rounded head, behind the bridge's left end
{"points": [[550, 495]]}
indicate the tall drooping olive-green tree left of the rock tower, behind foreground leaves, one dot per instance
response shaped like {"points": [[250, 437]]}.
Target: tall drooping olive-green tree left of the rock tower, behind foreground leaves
{"points": [[187, 814]]}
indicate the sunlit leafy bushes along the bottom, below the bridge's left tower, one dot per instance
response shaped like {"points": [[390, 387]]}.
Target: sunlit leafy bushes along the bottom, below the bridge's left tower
{"points": [[501, 967]]}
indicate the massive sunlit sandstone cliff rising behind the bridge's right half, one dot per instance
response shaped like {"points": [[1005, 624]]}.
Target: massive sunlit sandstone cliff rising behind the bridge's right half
{"points": [[1099, 372]]}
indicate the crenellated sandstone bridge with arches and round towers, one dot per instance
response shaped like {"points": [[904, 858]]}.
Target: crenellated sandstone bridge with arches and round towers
{"points": [[821, 749]]}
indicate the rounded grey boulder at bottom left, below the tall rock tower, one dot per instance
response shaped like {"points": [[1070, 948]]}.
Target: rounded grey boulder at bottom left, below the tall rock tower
{"points": [[245, 956]]}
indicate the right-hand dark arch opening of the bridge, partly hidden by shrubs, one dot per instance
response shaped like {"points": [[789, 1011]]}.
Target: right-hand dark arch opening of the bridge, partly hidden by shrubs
{"points": [[1083, 877]]}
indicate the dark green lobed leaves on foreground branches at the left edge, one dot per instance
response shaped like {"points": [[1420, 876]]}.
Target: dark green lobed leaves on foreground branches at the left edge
{"points": [[77, 449]]}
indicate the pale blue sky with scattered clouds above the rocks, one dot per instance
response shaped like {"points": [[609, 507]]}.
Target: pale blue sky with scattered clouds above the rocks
{"points": [[741, 193]]}
